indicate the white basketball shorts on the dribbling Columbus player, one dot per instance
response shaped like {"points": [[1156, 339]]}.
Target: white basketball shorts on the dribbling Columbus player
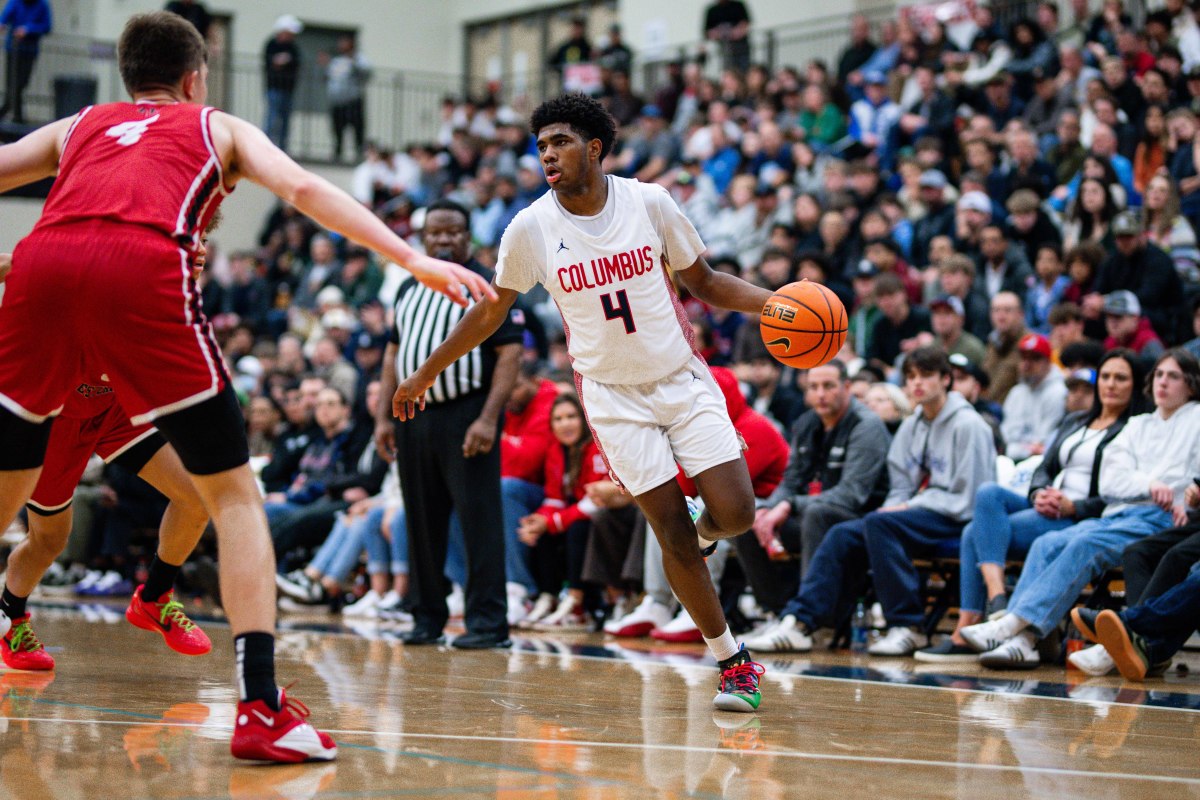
{"points": [[644, 430]]}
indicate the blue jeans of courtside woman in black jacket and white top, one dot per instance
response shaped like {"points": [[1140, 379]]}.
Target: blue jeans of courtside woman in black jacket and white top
{"points": [[1005, 525]]}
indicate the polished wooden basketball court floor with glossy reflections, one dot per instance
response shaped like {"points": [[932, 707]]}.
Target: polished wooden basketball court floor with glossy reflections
{"points": [[580, 718]]}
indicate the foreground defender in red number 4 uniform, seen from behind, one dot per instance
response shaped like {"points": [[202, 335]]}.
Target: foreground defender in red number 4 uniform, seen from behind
{"points": [[106, 270]]}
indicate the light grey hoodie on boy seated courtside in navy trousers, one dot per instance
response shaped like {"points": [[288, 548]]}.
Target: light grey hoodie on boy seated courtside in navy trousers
{"points": [[956, 452]]}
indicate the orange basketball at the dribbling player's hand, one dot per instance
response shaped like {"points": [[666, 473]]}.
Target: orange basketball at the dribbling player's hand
{"points": [[803, 326]]}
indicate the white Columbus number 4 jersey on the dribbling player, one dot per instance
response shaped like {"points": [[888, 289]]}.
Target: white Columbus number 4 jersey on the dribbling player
{"points": [[625, 323]]}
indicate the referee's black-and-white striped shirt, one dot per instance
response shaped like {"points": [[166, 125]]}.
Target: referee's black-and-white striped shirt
{"points": [[425, 318]]}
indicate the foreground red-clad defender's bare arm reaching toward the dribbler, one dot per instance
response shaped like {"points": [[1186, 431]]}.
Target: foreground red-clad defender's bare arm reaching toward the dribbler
{"points": [[253, 157]]}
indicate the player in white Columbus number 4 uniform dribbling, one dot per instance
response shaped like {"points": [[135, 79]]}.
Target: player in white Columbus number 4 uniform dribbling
{"points": [[601, 245]]}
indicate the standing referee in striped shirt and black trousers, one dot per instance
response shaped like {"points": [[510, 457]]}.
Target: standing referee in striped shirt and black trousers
{"points": [[447, 459]]}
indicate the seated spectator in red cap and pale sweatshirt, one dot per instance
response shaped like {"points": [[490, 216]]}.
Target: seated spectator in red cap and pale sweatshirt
{"points": [[1035, 406]]}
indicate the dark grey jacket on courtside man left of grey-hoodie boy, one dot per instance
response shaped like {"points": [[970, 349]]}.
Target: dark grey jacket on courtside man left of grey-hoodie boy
{"points": [[850, 462]]}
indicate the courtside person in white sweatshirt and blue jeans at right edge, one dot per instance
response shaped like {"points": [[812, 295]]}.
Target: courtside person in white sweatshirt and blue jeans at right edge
{"points": [[1145, 472]]}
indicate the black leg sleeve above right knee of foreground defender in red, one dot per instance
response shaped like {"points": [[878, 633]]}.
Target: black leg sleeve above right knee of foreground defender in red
{"points": [[209, 437]]}
